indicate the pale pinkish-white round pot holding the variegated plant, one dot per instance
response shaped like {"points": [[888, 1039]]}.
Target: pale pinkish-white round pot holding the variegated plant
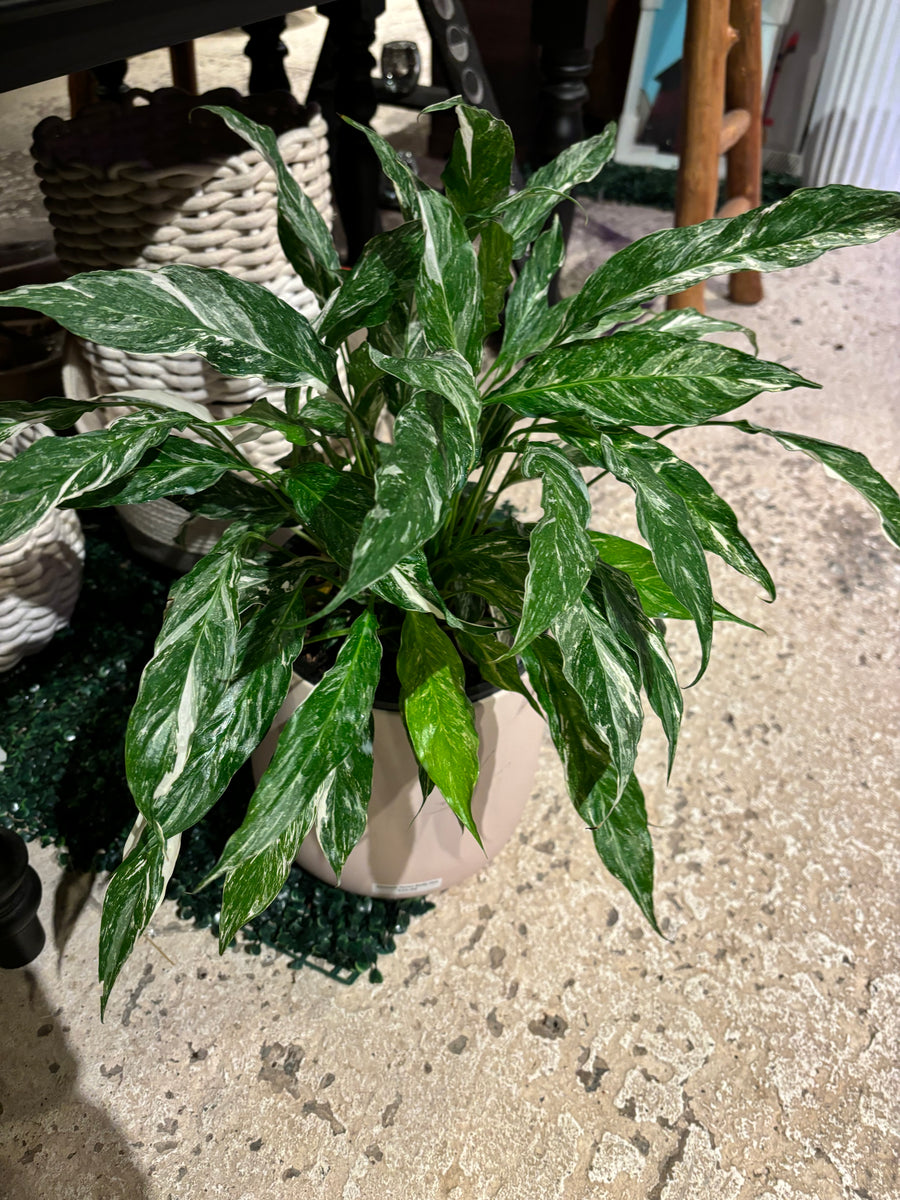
{"points": [[410, 848]]}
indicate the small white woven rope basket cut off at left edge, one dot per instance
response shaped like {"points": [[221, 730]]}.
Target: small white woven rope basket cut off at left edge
{"points": [[40, 573]]}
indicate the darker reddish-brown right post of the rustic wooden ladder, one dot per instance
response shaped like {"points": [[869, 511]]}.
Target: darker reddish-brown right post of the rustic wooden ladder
{"points": [[743, 89]]}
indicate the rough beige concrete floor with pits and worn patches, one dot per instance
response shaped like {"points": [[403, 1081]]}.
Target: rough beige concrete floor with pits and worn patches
{"points": [[532, 1039]]}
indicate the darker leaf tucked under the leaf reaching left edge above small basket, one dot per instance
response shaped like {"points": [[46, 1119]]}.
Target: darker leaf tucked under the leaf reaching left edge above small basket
{"points": [[177, 467]]}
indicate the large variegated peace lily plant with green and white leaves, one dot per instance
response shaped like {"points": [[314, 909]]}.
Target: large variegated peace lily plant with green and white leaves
{"points": [[404, 556]]}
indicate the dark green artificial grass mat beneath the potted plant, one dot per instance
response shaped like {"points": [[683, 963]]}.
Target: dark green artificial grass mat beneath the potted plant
{"points": [[63, 718]]}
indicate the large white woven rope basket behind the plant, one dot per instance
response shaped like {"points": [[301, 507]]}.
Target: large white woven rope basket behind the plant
{"points": [[154, 182]]}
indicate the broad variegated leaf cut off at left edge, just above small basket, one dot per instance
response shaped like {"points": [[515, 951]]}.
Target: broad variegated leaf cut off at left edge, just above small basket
{"points": [[53, 471]]}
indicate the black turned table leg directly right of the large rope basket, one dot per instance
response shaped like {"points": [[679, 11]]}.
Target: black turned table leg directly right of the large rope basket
{"points": [[343, 86]]}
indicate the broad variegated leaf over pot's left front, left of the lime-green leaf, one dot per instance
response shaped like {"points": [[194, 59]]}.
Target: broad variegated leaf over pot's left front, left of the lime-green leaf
{"points": [[332, 723]]}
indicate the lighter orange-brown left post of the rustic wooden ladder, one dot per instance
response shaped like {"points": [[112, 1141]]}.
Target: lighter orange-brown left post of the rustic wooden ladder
{"points": [[707, 40]]}
